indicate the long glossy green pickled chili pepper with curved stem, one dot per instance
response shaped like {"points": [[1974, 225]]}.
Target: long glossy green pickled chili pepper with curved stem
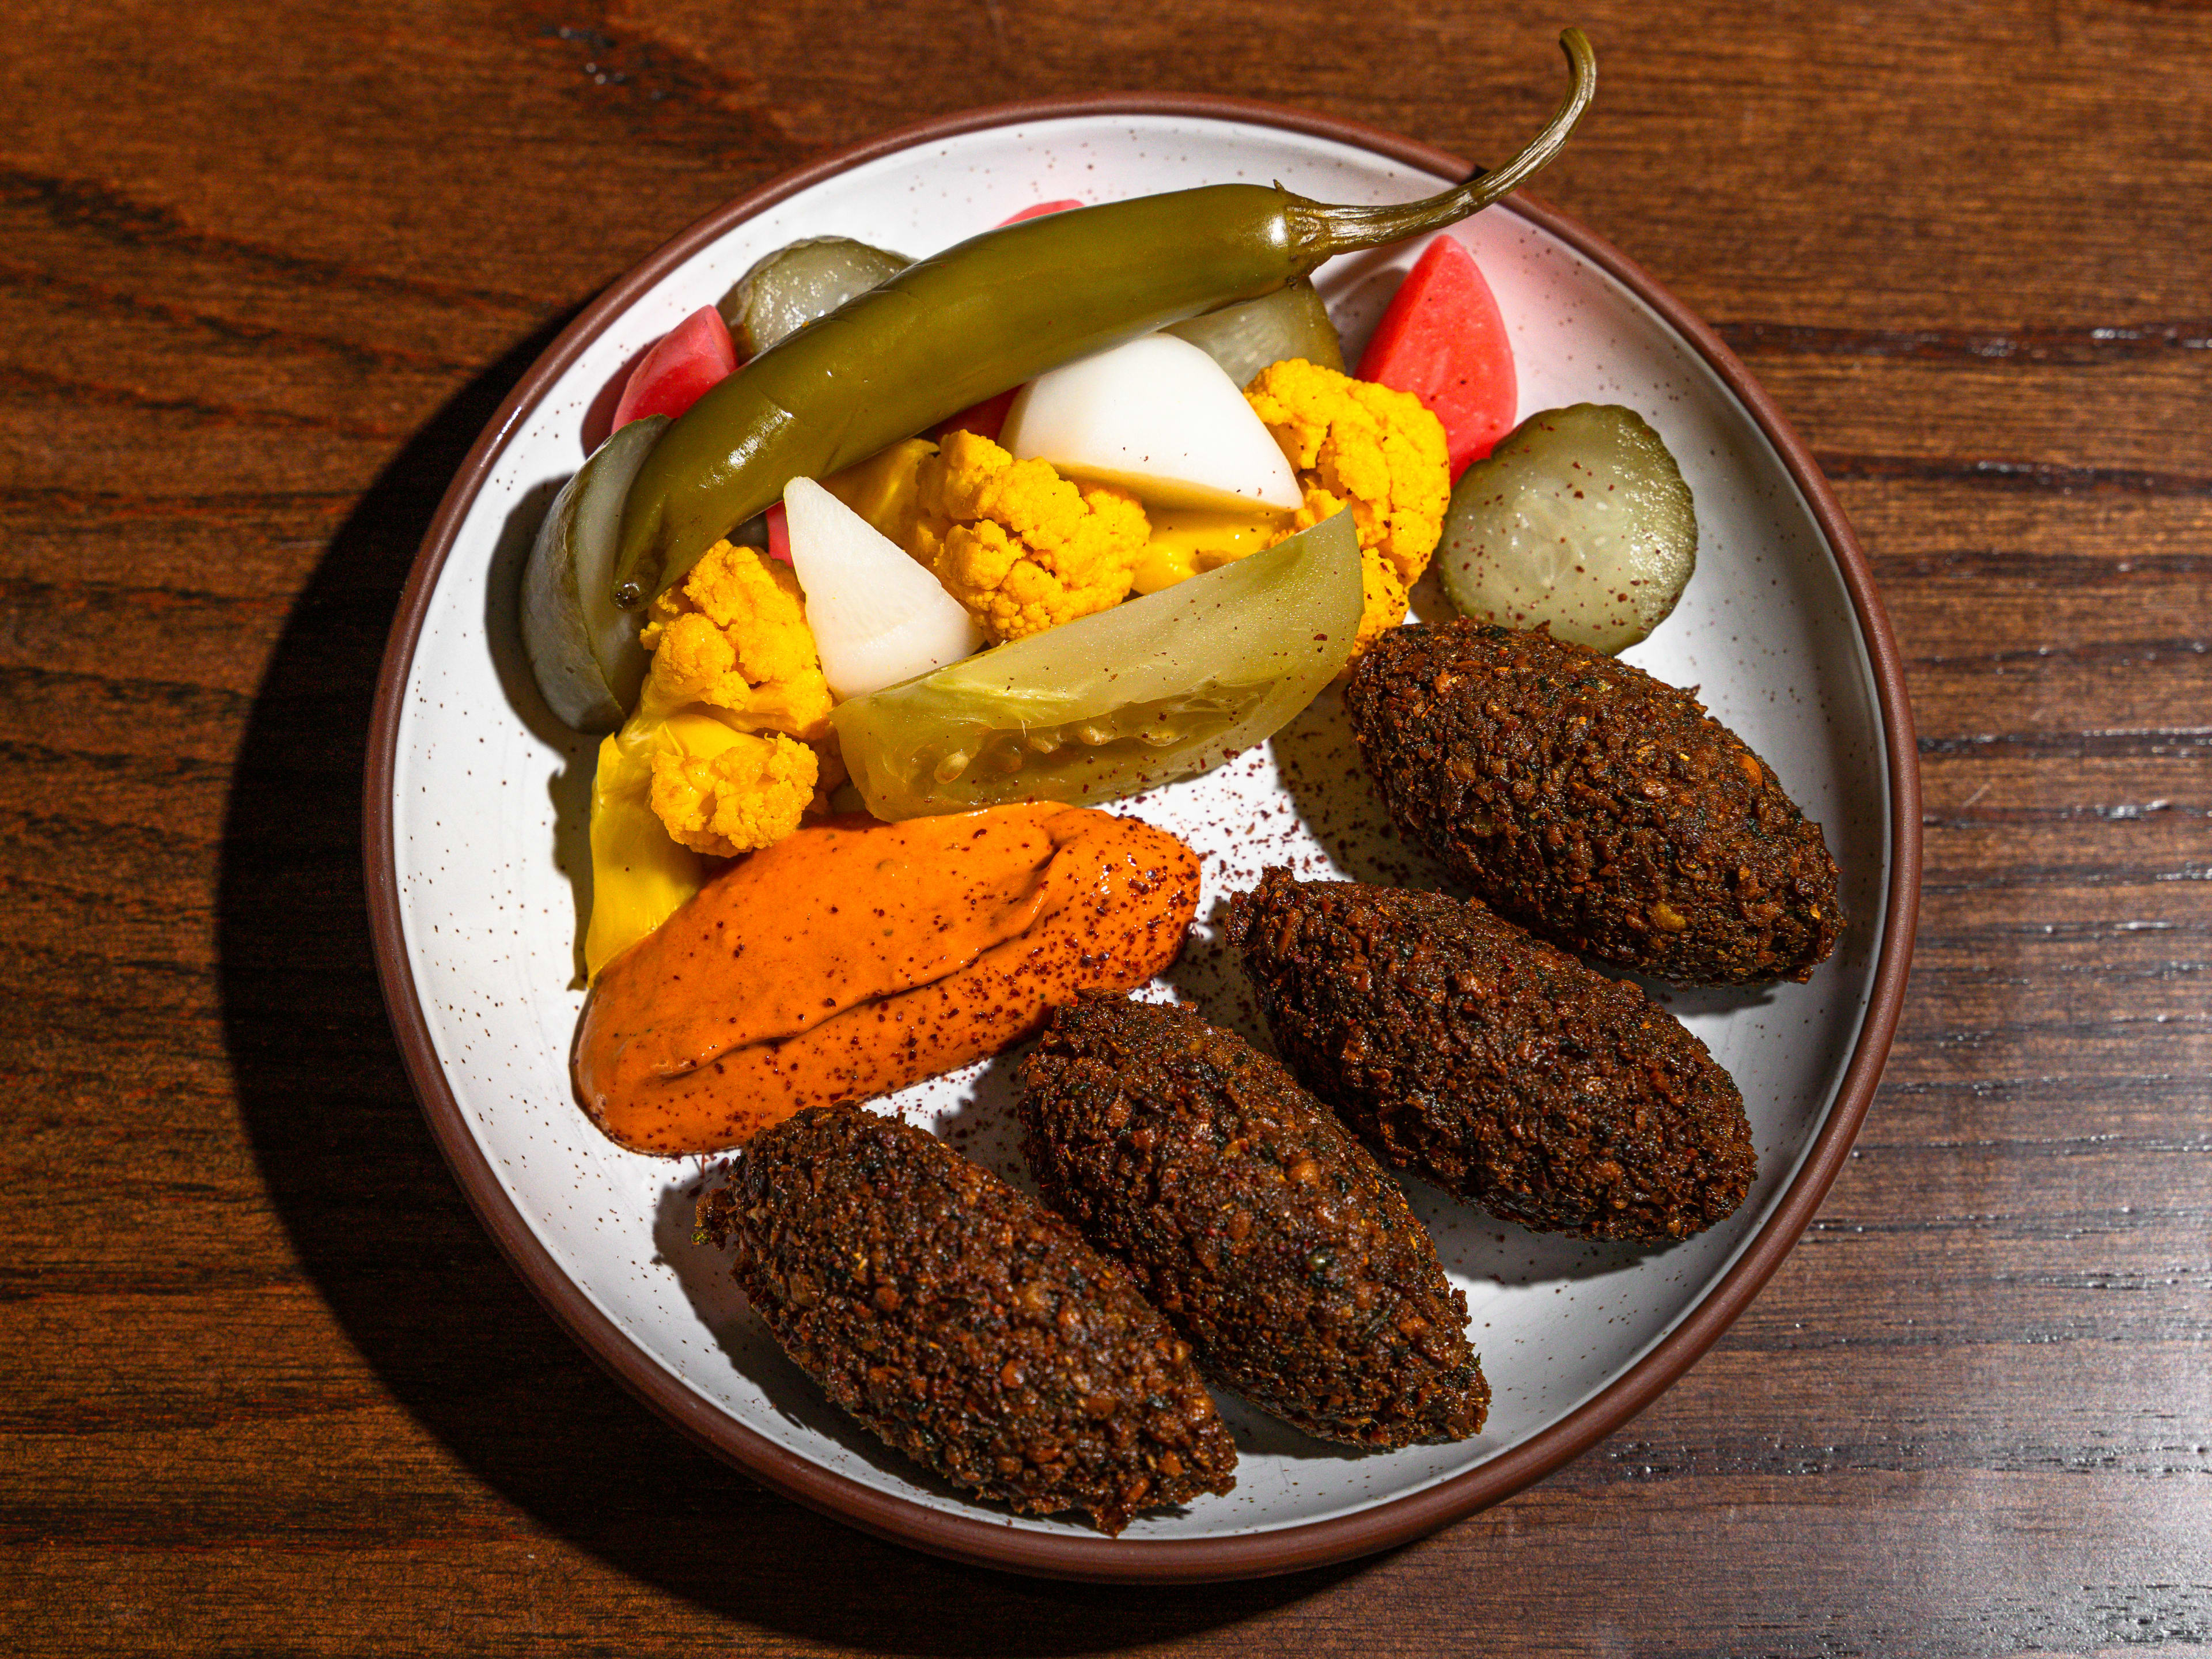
{"points": [[994, 313]]}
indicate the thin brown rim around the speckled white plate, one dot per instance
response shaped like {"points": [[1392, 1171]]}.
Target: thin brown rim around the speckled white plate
{"points": [[983, 1538]]}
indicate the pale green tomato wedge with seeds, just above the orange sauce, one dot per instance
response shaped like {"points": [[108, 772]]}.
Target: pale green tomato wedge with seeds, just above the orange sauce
{"points": [[1118, 702]]}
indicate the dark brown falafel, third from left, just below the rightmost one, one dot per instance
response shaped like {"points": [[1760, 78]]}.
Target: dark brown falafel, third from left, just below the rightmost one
{"points": [[1496, 1065]]}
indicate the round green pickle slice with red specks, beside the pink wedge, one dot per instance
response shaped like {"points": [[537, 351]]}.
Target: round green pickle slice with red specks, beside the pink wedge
{"points": [[1583, 521]]}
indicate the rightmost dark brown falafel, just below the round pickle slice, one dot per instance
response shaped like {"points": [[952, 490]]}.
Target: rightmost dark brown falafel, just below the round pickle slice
{"points": [[1594, 804]]}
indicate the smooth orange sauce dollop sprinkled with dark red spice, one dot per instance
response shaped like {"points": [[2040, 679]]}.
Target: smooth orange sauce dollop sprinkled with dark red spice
{"points": [[859, 957]]}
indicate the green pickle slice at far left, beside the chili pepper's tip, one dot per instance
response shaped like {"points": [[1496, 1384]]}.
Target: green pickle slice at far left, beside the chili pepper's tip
{"points": [[585, 651]]}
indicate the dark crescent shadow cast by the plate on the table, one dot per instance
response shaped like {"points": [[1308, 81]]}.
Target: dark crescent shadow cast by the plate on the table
{"points": [[397, 1253]]}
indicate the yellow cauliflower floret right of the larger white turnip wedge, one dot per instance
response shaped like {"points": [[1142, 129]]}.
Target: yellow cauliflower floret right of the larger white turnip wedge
{"points": [[1368, 448]]}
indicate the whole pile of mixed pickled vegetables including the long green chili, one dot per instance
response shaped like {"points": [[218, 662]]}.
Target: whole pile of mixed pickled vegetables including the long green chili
{"points": [[881, 534]]}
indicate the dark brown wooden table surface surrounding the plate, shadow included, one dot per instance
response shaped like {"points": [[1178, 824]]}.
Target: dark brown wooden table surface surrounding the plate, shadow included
{"points": [[267, 271]]}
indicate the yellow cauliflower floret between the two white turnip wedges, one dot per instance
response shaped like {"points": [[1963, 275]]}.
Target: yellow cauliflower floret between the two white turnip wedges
{"points": [[1016, 543]]}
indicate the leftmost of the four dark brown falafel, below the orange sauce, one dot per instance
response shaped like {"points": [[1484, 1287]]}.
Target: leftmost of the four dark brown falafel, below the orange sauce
{"points": [[966, 1324]]}
